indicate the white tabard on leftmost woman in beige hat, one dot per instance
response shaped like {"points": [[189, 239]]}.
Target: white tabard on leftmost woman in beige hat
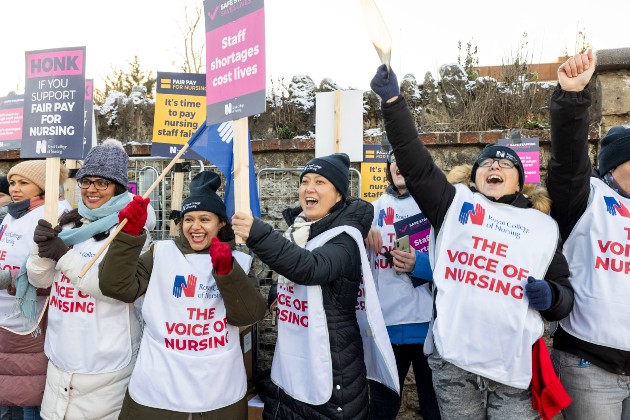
{"points": [[16, 239]]}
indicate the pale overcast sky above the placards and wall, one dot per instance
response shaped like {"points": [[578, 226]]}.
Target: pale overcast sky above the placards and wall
{"points": [[320, 38]]}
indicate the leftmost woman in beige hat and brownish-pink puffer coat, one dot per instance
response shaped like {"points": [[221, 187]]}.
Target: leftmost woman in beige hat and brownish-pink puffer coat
{"points": [[22, 309]]}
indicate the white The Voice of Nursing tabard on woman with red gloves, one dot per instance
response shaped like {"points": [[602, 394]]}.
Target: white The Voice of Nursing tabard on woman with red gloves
{"points": [[189, 355]]}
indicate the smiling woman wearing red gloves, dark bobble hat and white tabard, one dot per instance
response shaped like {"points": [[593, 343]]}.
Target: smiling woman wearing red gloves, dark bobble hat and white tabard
{"points": [[196, 294]]}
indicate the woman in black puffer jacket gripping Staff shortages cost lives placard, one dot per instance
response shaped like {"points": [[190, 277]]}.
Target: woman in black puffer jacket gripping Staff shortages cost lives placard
{"points": [[325, 292]]}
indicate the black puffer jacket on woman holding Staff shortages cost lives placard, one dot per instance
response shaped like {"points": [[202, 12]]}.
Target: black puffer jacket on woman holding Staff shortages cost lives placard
{"points": [[336, 267]]}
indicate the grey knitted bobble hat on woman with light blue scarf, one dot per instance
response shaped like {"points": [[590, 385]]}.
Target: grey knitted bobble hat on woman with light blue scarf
{"points": [[109, 161]]}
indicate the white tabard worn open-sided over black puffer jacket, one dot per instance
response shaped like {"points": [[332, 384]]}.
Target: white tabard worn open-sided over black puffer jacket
{"points": [[302, 364]]}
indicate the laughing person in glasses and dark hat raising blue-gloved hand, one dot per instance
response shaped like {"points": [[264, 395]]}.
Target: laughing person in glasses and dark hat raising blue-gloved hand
{"points": [[497, 267]]}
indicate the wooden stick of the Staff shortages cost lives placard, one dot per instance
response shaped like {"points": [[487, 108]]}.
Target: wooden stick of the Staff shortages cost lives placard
{"points": [[241, 168]]}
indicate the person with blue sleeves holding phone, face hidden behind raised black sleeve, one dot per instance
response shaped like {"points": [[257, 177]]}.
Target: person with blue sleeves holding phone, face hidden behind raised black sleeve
{"points": [[402, 280]]}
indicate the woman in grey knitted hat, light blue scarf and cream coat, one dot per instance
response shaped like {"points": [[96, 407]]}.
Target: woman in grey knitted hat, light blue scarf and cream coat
{"points": [[92, 340]]}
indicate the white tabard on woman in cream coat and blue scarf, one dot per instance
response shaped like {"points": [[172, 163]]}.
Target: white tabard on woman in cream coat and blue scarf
{"points": [[86, 335]]}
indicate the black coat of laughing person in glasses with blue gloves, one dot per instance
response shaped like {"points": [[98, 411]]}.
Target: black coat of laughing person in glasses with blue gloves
{"points": [[434, 194]]}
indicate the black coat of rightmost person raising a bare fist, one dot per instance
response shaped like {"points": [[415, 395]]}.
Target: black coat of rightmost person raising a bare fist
{"points": [[568, 182]]}
